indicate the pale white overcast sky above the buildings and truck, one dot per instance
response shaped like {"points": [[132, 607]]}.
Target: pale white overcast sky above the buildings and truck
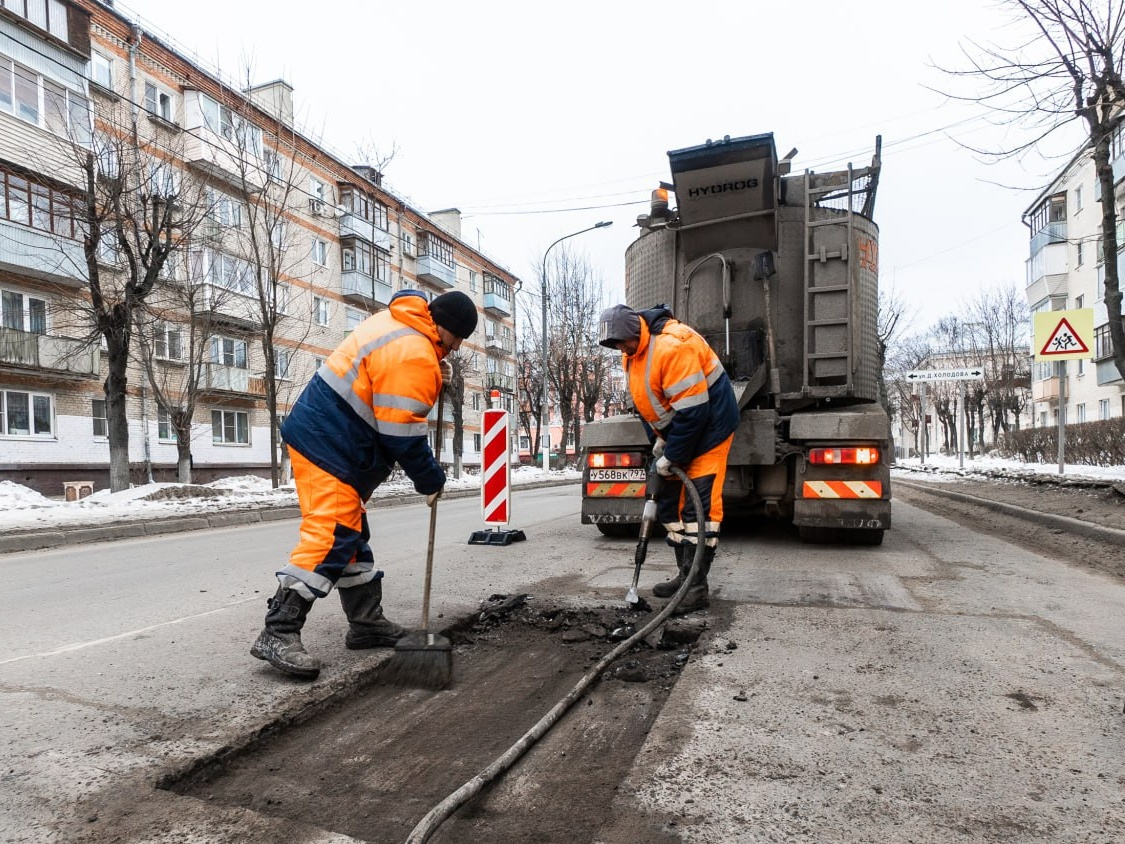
{"points": [[515, 111]]}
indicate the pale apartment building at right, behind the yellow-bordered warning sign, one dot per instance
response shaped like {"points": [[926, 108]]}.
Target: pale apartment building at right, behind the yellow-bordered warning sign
{"points": [[1066, 271]]}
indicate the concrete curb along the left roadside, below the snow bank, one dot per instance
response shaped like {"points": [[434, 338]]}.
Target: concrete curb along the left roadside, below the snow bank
{"points": [[60, 537]]}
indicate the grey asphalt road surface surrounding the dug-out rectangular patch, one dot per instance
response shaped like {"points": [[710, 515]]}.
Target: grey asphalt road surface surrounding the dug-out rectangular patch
{"points": [[950, 686]]}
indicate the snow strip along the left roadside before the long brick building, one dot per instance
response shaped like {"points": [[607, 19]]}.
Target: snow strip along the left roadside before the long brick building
{"points": [[23, 509]]}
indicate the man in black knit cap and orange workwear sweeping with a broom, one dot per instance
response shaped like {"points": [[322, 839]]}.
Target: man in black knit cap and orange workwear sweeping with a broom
{"points": [[363, 412]]}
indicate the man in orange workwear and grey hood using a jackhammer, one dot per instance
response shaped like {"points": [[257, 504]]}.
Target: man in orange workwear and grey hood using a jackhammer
{"points": [[688, 406]]}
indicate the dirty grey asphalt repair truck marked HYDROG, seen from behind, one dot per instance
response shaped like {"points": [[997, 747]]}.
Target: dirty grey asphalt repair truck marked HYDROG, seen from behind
{"points": [[780, 273]]}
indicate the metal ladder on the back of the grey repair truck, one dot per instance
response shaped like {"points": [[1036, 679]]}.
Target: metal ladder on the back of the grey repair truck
{"points": [[830, 319]]}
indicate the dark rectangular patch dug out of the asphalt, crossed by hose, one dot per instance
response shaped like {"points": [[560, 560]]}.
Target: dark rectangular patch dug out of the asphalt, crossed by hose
{"points": [[373, 767]]}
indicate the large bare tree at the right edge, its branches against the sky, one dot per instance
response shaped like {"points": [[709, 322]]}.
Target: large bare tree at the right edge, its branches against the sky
{"points": [[1067, 68]]}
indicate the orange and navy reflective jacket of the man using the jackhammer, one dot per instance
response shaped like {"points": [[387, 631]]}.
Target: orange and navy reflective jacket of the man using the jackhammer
{"points": [[680, 388]]}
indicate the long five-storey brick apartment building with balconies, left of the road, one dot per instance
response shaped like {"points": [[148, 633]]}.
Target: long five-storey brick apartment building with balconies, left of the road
{"points": [[276, 249]]}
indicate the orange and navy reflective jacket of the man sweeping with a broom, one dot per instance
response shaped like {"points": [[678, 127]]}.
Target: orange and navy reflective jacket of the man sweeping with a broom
{"points": [[366, 408]]}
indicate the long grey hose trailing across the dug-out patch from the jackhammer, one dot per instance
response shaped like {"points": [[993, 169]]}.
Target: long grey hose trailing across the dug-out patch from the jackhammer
{"points": [[440, 813]]}
